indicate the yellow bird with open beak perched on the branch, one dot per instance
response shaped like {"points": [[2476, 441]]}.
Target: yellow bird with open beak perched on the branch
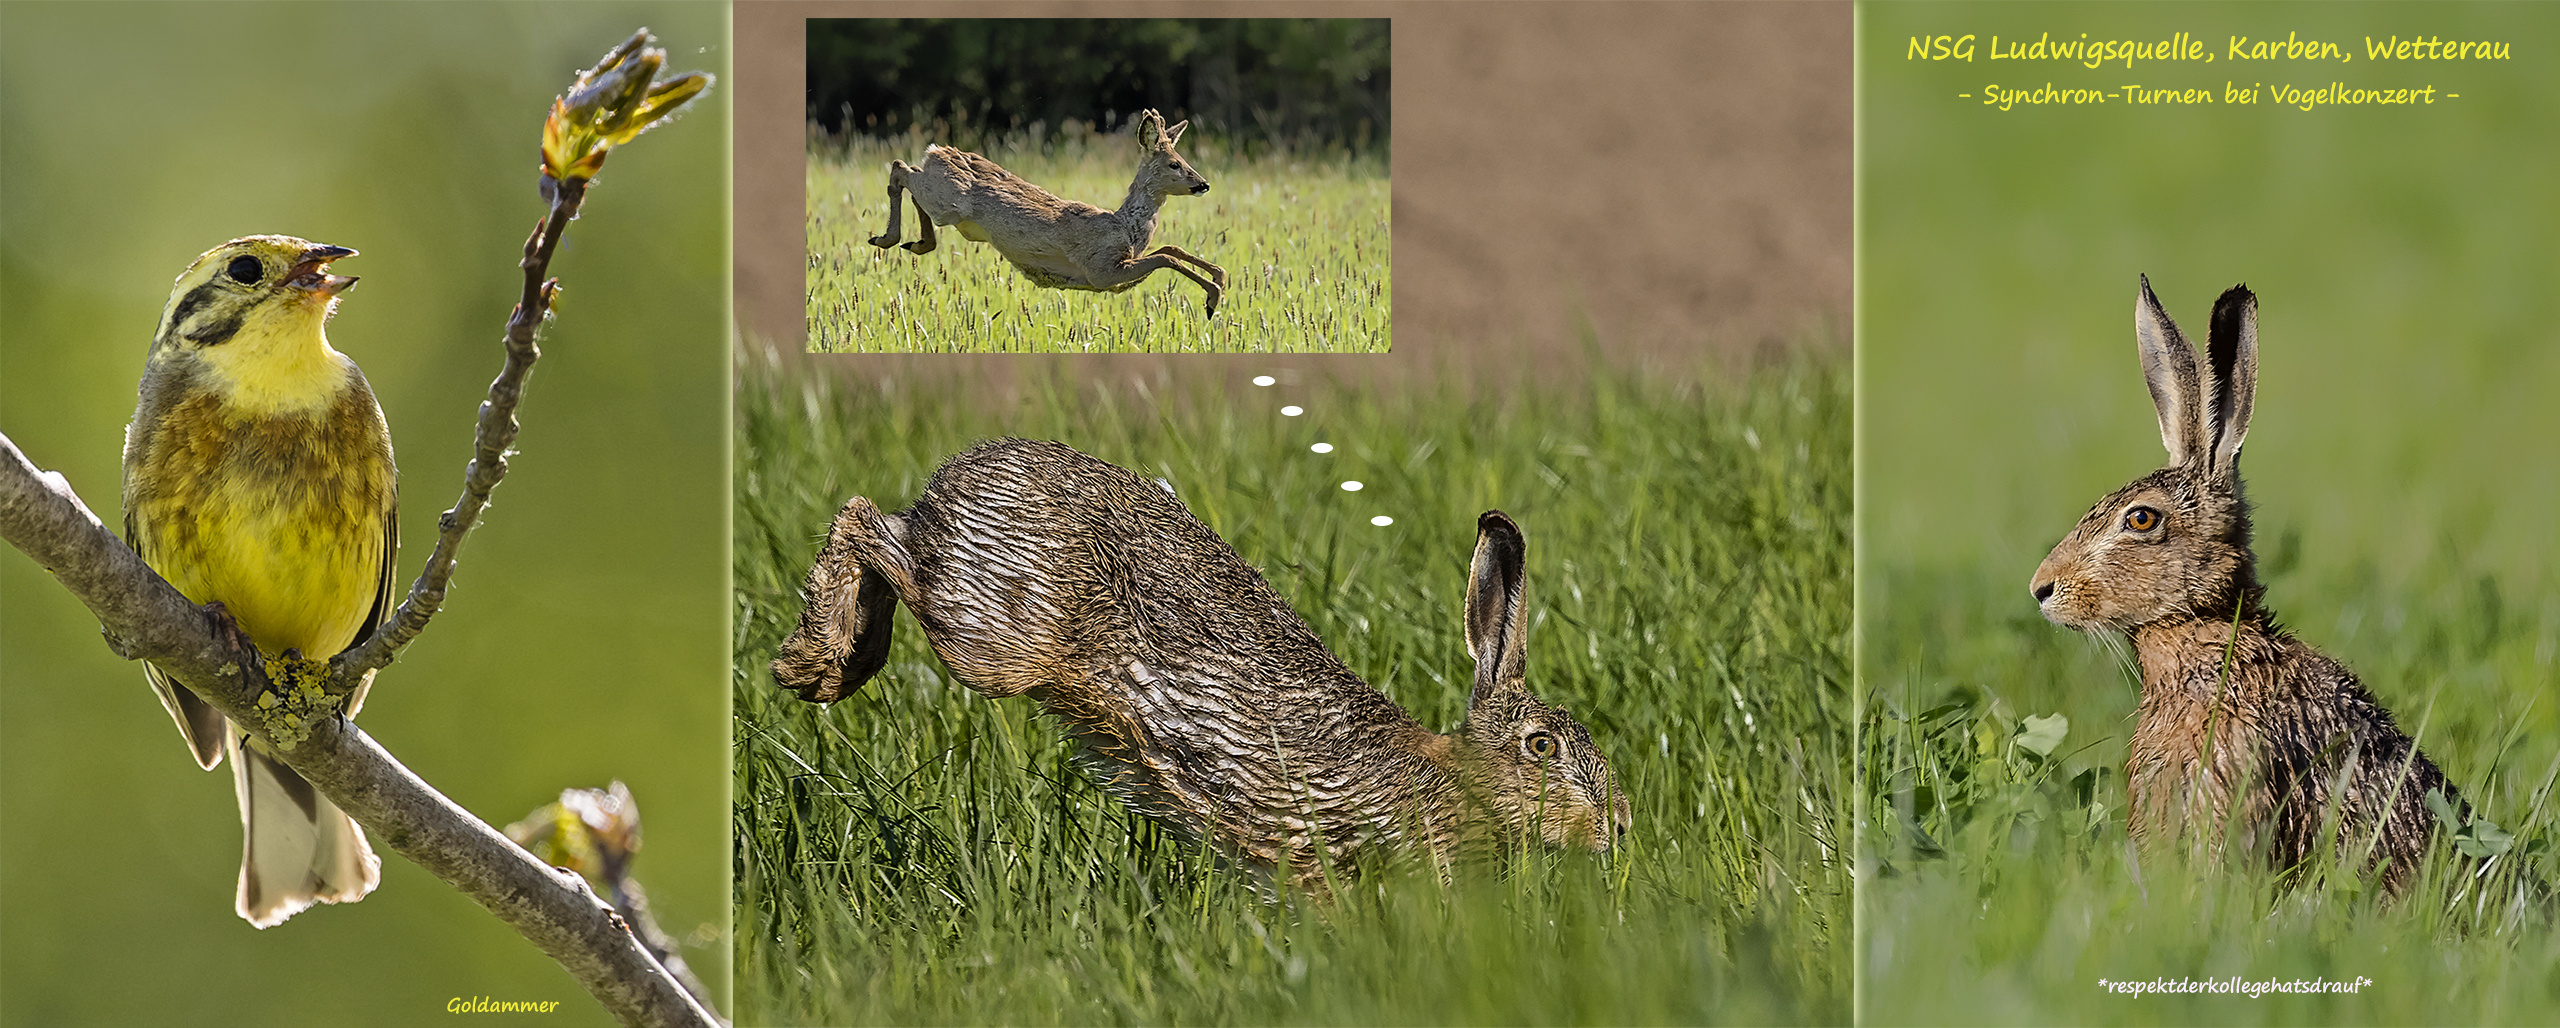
{"points": [[260, 477]]}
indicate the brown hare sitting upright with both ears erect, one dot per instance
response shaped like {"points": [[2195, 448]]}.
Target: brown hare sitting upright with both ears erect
{"points": [[2244, 733]]}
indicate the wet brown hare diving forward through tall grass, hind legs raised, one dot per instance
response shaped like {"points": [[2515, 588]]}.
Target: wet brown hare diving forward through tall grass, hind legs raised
{"points": [[1194, 694]]}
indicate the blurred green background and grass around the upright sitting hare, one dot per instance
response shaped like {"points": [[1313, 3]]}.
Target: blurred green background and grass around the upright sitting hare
{"points": [[2403, 464]]}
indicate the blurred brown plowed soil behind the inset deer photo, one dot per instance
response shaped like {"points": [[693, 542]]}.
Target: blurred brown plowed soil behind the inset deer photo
{"points": [[1670, 180]]}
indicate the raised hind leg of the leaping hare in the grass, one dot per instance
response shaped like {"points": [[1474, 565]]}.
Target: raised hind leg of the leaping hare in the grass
{"points": [[844, 635]]}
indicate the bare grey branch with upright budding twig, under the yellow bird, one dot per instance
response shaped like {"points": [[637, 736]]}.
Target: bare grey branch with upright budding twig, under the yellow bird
{"points": [[198, 646]]}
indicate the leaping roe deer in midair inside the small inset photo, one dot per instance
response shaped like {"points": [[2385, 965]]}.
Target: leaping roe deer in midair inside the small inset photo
{"points": [[1059, 244]]}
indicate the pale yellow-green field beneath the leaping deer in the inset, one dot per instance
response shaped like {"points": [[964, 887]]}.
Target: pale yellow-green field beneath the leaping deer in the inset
{"points": [[1302, 237]]}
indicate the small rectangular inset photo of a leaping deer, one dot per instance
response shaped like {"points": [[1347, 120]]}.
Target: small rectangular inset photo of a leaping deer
{"points": [[1097, 185]]}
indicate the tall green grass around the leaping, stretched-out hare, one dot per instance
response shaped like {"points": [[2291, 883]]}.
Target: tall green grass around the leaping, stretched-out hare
{"points": [[925, 855]]}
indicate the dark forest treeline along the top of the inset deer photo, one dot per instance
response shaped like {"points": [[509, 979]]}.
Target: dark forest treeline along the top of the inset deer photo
{"points": [[1248, 81]]}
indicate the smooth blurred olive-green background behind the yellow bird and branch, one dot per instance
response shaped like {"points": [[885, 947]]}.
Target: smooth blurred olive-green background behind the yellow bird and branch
{"points": [[582, 638]]}
